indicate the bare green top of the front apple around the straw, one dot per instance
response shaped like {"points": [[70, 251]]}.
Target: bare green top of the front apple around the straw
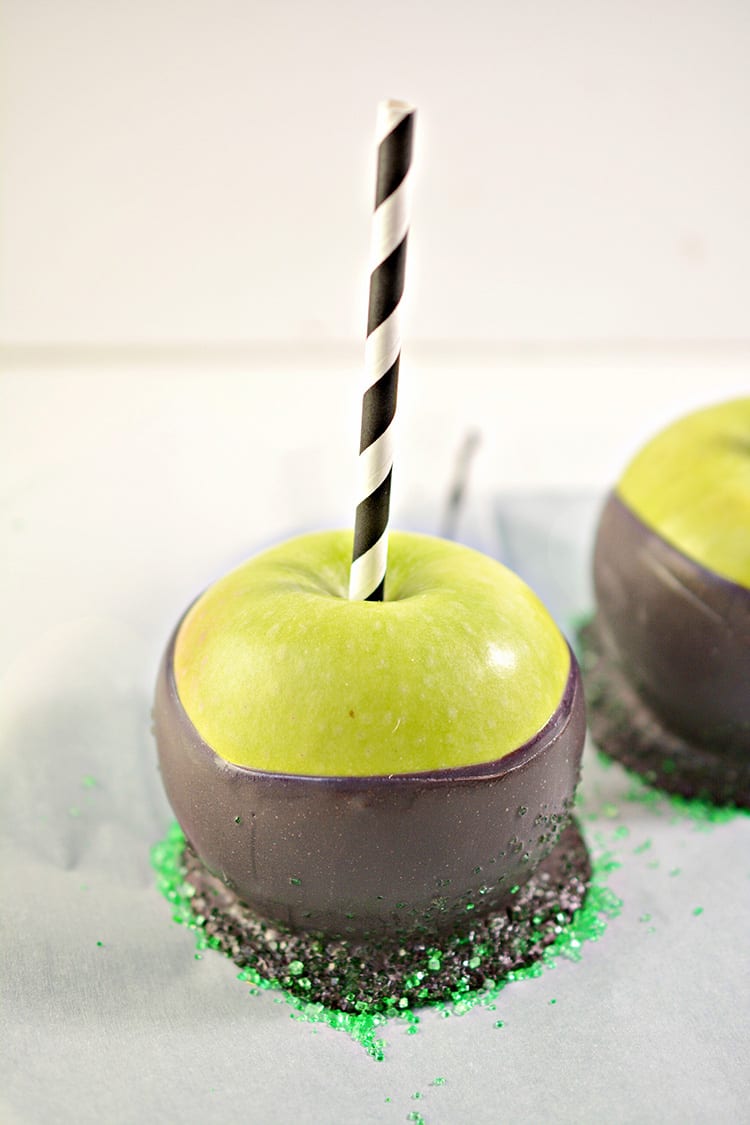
{"points": [[278, 671]]}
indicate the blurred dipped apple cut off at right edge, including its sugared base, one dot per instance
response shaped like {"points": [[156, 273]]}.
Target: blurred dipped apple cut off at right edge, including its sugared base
{"points": [[668, 668]]}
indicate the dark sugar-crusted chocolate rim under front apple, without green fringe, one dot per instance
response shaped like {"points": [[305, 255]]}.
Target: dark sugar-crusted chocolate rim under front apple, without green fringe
{"points": [[371, 977]]}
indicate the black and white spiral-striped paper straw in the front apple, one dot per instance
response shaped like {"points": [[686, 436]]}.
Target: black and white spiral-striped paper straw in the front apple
{"points": [[383, 352]]}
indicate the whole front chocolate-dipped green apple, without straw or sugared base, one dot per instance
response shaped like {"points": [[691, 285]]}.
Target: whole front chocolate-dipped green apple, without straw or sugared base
{"points": [[368, 769]]}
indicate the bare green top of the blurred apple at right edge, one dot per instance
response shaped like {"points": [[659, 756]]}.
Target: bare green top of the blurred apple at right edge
{"points": [[691, 484]]}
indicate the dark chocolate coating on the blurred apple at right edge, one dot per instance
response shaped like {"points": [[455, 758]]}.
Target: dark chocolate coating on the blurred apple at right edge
{"points": [[680, 633]]}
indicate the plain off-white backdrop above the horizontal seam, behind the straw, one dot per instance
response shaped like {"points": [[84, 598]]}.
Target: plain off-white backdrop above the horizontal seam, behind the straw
{"points": [[177, 170]]}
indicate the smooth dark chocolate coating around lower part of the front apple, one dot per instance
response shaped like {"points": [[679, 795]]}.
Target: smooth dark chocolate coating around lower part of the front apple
{"points": [[368, 857]]}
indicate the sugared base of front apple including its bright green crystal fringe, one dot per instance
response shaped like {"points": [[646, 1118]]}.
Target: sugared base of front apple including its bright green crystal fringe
{"points": [[466, 973]]}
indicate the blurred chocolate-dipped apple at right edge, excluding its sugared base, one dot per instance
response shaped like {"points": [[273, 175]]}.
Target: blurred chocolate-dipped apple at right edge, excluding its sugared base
{"points": [[672, 574]]}
